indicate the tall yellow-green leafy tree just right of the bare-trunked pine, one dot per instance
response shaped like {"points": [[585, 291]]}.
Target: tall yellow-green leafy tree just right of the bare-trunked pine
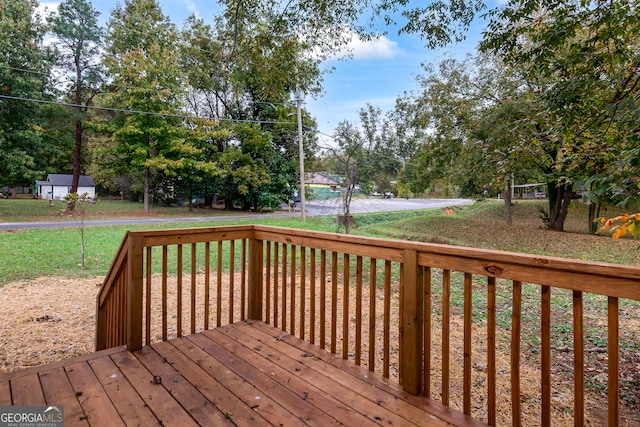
{"points": [[147, 83]]}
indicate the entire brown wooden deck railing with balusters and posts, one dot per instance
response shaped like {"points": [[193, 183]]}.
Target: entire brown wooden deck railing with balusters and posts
{"points": [[417, 313]]}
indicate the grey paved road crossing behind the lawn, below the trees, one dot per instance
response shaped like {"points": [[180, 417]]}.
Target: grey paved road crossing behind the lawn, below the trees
{"points": [[313, 208]]}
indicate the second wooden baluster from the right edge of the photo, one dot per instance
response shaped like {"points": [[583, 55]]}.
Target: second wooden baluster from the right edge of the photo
{"points": [[578, 360]]}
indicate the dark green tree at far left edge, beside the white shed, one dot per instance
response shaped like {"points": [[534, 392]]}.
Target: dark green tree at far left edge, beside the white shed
{"points": [[24, 71]]}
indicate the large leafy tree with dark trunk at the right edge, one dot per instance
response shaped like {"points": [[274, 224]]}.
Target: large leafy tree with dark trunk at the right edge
{"points": [[583, 57]]}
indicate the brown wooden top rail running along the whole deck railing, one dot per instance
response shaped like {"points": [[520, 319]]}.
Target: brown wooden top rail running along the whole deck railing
{"points": [[603, 278]]}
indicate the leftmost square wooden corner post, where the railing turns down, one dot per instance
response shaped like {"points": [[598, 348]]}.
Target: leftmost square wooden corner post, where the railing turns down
{"points": [[134, 293]]}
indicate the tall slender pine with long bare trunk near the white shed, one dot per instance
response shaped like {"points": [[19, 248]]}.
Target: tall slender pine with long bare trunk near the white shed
{"points": [[78, 36]]}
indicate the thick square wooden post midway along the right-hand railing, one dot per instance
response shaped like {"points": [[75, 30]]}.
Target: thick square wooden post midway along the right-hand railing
{"points": [[412, 326]]}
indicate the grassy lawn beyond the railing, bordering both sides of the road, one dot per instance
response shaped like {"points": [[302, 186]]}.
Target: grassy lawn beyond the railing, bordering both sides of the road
{"points": [[26, 254]]}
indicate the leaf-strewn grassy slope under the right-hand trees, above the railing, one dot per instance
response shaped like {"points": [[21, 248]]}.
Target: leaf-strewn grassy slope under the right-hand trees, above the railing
{"points": [[482, 225]]}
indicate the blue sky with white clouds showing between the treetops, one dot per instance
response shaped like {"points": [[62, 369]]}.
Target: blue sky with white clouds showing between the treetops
{"points": [[378, 73]]}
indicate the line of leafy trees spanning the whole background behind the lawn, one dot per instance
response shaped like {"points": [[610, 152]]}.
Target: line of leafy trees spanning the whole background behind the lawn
{"points": [[551, 96]]}
